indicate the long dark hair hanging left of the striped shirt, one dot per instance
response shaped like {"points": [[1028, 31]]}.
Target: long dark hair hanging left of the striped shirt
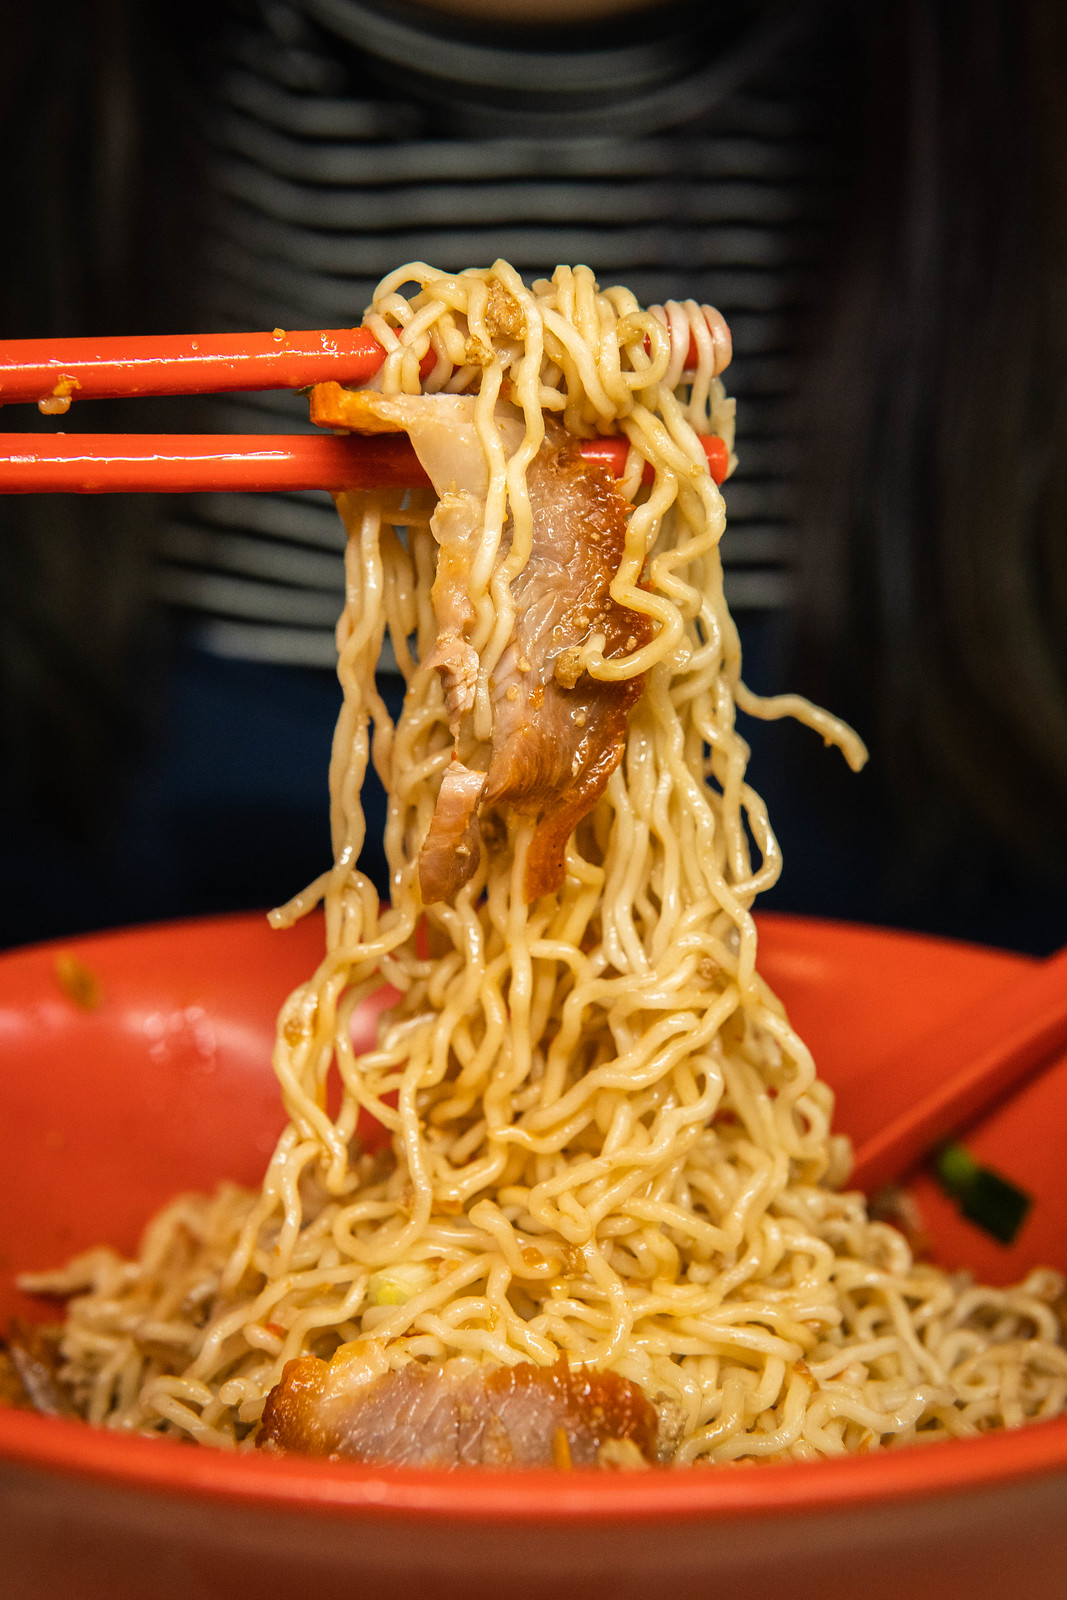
{"points": [[97, 167]]}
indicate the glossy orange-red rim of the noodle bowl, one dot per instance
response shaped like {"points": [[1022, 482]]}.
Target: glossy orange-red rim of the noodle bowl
{"points": [[292, 1484]]}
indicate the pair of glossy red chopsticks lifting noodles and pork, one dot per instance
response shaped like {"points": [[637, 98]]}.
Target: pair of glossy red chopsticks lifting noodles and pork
{"points": [[57, 374]]}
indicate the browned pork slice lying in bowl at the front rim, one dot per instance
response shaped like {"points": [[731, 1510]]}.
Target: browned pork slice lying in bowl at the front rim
{"points": [[457, 1414]]}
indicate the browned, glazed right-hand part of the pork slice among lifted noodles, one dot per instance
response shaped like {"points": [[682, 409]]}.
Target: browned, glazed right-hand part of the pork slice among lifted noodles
{"points": [[557, 732]]}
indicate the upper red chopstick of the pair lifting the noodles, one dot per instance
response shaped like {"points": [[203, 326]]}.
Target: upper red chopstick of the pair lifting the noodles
{"points": [[34, 370]]}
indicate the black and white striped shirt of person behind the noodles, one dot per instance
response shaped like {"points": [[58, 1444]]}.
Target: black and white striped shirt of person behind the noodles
{"points": [[345, 142]]}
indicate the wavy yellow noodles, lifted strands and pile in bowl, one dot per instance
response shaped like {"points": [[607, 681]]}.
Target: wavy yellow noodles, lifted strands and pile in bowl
{"points": [[607, 1142]]}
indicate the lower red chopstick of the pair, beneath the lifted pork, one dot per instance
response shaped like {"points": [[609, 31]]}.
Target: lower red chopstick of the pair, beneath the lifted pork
{"points": [[194, 463]]}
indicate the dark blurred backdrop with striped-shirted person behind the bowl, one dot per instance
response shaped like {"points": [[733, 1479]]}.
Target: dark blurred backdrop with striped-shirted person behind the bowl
{"points": [[876, 198]]}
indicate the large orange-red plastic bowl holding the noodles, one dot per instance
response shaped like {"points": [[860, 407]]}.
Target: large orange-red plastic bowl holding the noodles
{"points": [[167, 1086]]}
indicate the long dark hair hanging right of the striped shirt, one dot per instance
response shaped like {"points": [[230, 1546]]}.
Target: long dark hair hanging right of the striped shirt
{"points": [[935, 561]]}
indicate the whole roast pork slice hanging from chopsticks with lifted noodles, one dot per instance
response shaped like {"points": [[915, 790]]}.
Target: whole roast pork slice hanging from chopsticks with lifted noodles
{"points": [[557, 734]]}
